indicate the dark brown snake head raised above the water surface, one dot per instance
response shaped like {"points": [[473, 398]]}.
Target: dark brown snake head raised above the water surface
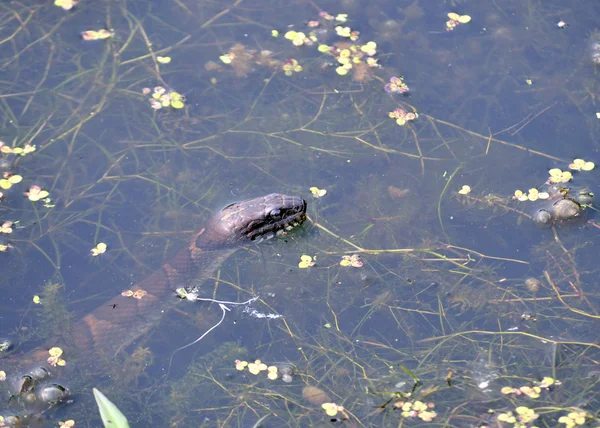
{"points": [[255, 219]]}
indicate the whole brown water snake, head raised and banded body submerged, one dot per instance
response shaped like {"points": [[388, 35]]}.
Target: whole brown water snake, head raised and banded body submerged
{"points": [[100, 335]]}
